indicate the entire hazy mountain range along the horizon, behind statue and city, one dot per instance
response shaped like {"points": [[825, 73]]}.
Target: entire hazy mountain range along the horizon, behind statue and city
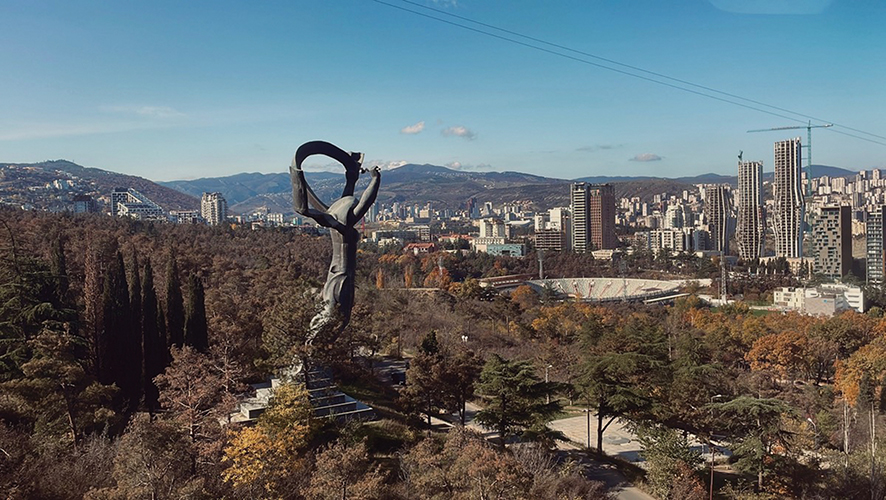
{"points": [[442, 187]]}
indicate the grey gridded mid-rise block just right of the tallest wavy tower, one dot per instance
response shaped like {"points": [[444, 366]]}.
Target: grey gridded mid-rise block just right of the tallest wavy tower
{"points": [[832, 242]]}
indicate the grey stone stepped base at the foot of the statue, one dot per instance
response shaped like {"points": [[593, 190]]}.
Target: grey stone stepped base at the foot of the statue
{"points": [[327, 400]]}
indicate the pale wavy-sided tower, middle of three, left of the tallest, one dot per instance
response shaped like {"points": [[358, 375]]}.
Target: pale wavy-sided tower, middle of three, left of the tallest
{"points": [[750, 210]]}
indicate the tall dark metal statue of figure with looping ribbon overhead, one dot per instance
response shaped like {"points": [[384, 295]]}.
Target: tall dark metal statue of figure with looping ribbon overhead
{"points": [[340, 218]]}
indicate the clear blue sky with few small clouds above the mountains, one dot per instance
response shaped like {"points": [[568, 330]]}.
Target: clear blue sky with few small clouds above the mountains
{"points": [[181, 90]]}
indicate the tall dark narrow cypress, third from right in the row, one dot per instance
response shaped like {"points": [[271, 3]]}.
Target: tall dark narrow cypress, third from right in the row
{"points": [[154, 344]]}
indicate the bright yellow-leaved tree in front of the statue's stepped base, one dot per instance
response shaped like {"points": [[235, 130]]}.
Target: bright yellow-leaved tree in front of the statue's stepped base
{"points": [[267, 459]]}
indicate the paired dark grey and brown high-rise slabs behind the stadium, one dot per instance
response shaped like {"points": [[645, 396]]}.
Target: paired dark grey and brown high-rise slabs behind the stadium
{"points": [[593, 217]]}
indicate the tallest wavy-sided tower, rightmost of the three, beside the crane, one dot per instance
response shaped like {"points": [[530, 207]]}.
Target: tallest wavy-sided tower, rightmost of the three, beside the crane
{"points": [[788, 191]]}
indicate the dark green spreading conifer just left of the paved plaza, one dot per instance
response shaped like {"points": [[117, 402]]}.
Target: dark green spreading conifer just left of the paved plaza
{"points": [[514, 397]]}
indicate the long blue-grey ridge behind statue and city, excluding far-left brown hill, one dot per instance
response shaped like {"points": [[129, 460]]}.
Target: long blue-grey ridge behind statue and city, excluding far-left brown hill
{"points": [[442, 187]]}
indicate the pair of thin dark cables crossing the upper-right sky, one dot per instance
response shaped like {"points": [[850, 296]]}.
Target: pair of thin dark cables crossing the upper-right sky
{"points": [[623, 65]]}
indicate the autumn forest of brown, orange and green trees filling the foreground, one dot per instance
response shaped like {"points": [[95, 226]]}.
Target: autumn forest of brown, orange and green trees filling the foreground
{"points": [[125, 346]]}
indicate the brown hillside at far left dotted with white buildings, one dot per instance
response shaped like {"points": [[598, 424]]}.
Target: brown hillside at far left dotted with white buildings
{"points": [[98, 182]]}
